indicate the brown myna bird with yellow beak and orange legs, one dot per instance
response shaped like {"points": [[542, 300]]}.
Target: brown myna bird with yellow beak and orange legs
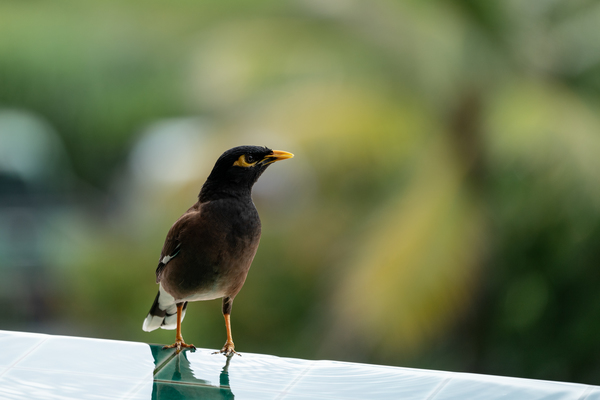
{"points": [[208, 251]]}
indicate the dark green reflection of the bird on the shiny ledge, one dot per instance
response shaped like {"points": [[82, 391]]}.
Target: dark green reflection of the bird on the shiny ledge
{"points": [[175, 380]]}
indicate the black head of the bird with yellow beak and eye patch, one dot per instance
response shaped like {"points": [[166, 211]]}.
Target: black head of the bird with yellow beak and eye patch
{"points": [[238, 169]]}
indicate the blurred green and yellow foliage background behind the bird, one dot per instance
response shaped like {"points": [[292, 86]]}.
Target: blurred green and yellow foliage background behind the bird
{"points": [[442, 210]]}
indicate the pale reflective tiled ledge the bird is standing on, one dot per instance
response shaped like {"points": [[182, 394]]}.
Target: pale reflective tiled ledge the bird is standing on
{"points": [[43, 366]]}
